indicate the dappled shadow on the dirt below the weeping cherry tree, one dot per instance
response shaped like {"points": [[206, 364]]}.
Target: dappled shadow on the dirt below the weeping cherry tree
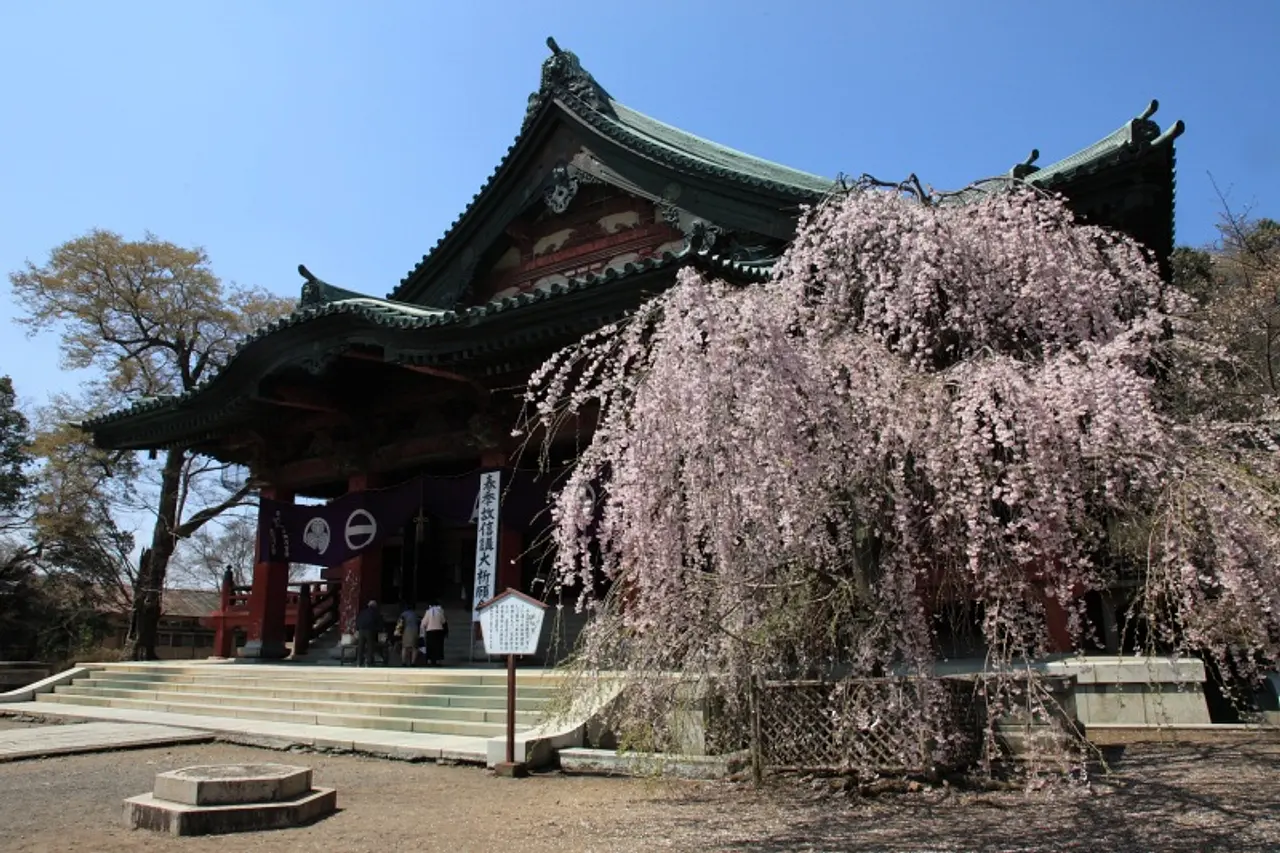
{"points": [[1156, 800]]}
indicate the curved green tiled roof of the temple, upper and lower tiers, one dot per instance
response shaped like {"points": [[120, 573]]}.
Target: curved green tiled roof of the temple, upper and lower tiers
{"points": [[568, 86]]}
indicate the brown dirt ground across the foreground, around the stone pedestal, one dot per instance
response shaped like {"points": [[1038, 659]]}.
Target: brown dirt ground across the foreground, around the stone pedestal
{"points": [[1163, 800]]}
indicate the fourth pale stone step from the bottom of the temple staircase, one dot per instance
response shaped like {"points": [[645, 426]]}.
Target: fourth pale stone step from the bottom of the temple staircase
{"points": [[342, 686]]}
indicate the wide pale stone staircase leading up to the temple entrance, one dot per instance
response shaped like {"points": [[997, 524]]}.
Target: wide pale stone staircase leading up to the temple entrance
{"points": [[447, 703]]}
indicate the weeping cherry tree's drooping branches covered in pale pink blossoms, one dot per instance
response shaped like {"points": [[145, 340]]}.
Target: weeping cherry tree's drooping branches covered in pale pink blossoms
{"points": [[930, 407]]}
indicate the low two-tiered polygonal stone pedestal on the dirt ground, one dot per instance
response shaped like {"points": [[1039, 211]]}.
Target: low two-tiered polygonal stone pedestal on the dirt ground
{"points": [[230, 799]]}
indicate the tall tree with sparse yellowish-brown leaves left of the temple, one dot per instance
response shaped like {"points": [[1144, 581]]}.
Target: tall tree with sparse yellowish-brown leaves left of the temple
{"points": [[154, 321]]}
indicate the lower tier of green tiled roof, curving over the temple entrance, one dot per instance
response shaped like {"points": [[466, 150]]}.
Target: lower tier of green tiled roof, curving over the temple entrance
{"points": [[391, 314]]}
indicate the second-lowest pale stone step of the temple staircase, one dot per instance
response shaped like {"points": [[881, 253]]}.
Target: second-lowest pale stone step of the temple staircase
{"points": [[335, 708]]}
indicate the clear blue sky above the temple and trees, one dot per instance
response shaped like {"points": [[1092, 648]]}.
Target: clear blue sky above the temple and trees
{"points": [[348, 136]]}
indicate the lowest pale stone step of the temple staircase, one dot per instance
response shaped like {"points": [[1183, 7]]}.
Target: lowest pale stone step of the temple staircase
{"points": [[301, 718]]}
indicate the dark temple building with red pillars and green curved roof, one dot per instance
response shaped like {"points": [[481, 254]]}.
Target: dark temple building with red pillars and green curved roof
{"points": [[395, 408]]}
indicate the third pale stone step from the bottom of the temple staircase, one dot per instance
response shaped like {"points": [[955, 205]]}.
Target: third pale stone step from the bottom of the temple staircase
{"points": [[300, 695]]}
